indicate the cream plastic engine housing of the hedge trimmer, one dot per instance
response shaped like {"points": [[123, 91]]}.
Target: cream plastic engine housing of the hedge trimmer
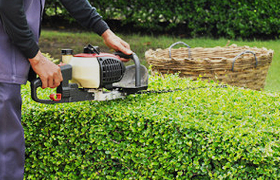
{"points": [[85, 71]]}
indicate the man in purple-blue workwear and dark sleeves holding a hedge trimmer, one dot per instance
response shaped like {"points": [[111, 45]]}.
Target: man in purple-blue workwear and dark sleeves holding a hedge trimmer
{"points": [[19, 34]]}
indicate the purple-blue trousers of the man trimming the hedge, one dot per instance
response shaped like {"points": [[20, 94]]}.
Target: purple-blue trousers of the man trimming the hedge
{"points": [[12, 146]]}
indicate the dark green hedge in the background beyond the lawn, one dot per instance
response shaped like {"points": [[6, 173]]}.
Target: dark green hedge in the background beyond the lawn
{"points": [[245, 18]]}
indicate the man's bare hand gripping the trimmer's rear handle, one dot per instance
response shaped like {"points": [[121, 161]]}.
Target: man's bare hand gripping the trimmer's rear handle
{"points": [[48, 72]]}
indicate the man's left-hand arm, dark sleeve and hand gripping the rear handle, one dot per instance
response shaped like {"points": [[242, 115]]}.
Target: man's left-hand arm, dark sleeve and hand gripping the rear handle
{"points": [[14, 21]]}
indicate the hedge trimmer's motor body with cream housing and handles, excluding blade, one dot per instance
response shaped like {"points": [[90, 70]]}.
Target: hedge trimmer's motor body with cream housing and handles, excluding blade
{"points": [[95, 76]]}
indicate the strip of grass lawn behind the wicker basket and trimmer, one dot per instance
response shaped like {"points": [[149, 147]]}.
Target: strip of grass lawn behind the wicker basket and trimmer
{"points": [[53, 41]]}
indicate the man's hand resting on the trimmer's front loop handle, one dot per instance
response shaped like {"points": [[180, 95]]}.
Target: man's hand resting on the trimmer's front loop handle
{"points": [[116, 43]]}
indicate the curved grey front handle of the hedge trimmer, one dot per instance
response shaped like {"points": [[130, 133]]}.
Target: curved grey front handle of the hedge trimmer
{"points": [[136, 60]]}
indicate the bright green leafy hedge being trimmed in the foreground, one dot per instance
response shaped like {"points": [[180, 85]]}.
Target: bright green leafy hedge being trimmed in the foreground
{"points": [[205, 133]]}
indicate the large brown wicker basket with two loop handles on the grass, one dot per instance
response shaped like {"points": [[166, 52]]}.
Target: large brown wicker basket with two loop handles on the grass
{"points": [[238, 66]]}
